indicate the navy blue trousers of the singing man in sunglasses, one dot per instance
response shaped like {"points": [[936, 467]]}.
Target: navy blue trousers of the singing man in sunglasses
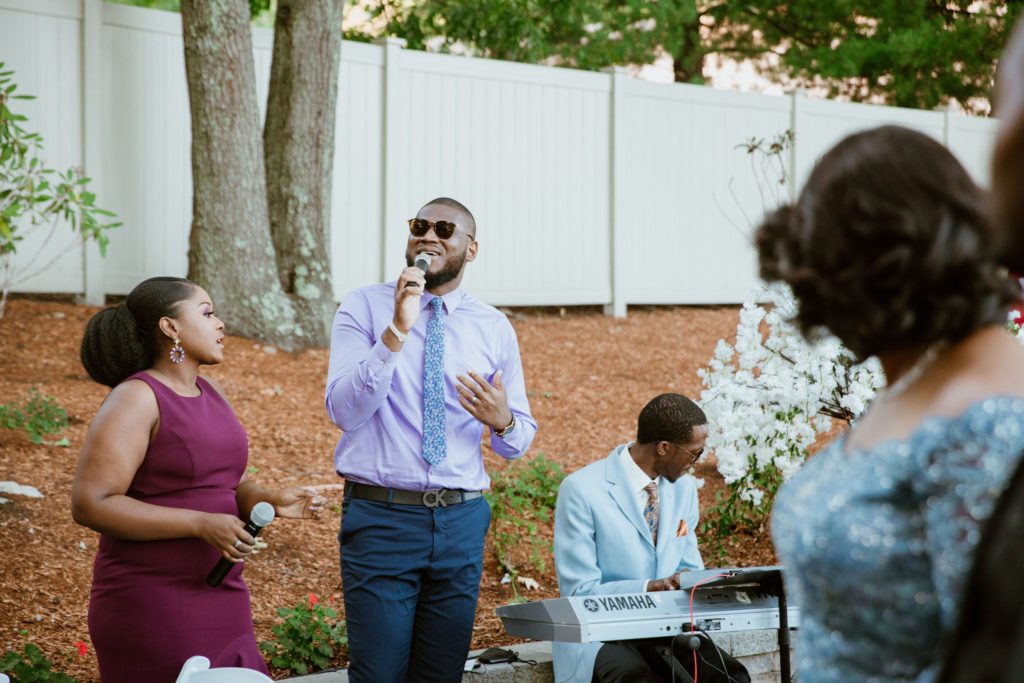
{"points": [[411, 577]]}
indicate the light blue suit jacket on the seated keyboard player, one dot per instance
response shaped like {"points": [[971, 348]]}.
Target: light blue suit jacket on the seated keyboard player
{"points": [[604, 545]]}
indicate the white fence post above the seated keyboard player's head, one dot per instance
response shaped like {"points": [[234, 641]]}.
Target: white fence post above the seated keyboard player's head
{"points": [[617, 182]]}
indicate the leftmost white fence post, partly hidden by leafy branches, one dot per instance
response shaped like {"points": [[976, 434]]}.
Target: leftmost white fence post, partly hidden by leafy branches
{"points": [[95, 287]]}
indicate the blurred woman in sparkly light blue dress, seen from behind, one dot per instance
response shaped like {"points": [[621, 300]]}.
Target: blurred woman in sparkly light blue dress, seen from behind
{"points": [[889, 249]]}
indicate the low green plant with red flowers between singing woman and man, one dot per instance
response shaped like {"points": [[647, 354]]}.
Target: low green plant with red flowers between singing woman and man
{"points": [[306, 642]]}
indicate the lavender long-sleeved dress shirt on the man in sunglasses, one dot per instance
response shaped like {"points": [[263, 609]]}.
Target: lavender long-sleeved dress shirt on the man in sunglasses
{"points": [[376, 396]]}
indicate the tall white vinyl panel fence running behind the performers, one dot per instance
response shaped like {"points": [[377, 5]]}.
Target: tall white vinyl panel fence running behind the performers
{"points": [[588, 188]]}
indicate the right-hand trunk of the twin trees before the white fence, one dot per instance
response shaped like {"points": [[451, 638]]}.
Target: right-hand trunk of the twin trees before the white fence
{"points": [[298, 140]]}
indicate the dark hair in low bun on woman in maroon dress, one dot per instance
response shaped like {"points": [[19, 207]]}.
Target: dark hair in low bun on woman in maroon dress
{"points": [[122, 340]]}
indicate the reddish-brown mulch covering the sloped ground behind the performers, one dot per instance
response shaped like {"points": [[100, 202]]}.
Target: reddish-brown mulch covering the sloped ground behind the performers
{"points": [[588, 376]]}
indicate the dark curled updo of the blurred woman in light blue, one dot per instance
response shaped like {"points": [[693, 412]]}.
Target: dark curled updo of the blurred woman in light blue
{"points": [[887, 246]]}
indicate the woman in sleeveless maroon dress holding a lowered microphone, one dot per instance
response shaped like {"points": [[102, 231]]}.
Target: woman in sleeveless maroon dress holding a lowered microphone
{"points": [[162, 478]]}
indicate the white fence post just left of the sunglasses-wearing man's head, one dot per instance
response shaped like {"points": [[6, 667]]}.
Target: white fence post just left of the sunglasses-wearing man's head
{"points": [[392, 156]]}
